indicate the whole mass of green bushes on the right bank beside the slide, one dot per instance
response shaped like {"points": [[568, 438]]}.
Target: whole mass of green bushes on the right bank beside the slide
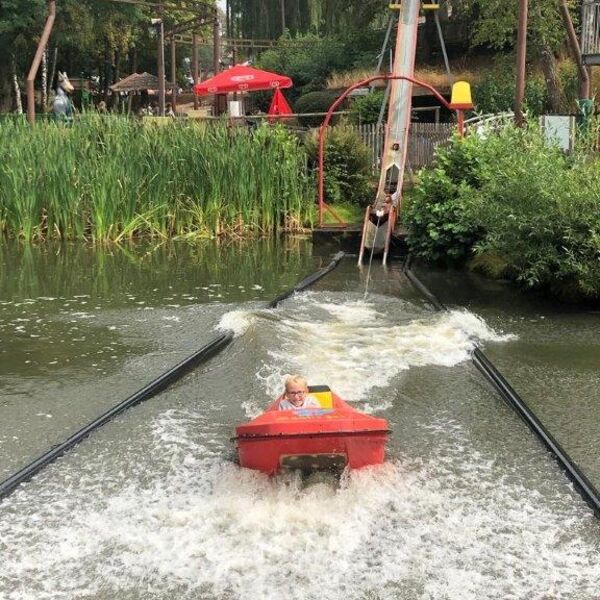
{"points": [[512, 205]]}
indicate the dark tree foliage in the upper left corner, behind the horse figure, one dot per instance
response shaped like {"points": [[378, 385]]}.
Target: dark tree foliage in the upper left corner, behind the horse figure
{"points": [[105, 38]]}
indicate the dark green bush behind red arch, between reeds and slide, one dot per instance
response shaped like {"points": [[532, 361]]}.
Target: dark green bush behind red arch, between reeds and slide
{"points": [[347, 165]]}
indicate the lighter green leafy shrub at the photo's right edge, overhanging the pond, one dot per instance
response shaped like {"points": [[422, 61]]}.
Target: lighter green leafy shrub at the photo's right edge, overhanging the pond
{"points": [[540, 213]]}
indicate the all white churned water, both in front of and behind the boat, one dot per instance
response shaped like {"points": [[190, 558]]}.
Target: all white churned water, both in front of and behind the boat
{"points": [[190, 524]]}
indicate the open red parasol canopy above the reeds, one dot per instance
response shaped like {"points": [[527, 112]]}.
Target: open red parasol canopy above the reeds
{"points": [[241, 79]]}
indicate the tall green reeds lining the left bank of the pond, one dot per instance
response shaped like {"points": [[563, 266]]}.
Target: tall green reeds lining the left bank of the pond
{"points": [[107, 178]]}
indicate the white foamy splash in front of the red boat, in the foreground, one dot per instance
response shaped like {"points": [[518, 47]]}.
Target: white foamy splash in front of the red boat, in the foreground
{"points": [[204, 528]]}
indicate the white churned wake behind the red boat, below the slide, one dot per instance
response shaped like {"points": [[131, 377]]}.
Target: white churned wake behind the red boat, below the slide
{"points": [[354, 347]]}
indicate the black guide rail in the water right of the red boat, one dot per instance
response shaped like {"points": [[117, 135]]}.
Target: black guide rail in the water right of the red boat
{"points": [[585, 488]]}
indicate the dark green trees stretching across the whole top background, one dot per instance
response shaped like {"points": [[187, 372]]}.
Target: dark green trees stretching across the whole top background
{"points": [[108, 38]]}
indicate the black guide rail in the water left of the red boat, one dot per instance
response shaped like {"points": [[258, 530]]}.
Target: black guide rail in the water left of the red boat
{"points": [[152, 389]]}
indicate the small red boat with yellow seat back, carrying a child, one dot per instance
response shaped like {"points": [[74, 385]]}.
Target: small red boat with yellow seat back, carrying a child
{"points": [[330, 437]]}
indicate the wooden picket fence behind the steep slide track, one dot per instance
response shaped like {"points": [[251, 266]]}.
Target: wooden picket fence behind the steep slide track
{"points": [[422, 141]]}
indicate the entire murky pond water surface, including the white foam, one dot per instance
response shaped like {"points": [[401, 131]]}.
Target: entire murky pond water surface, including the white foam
{"points": [[469, 505]]}
